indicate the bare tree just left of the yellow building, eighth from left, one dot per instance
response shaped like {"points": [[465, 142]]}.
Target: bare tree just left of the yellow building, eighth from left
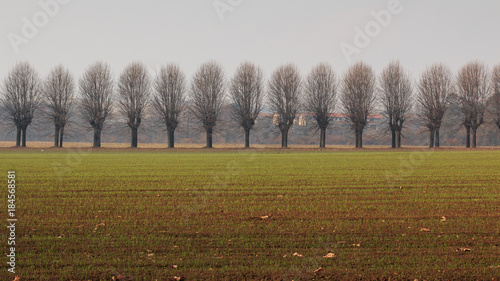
{"points": [[284, 98]]}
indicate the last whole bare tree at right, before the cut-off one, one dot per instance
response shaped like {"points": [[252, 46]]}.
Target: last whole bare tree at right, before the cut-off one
{"points": [[473, 93]]}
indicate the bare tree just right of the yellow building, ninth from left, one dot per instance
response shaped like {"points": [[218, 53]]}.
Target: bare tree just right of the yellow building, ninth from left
{"points": [[320, 97]]}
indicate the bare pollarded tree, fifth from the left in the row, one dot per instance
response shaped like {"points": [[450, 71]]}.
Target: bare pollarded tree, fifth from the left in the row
{"points": [[169, 98]]}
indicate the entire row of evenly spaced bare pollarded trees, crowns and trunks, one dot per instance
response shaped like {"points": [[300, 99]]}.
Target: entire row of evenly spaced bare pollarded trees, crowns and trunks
{"points": [[359, 93]]}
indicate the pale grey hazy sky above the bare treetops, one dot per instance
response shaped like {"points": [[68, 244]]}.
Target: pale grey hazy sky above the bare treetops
{"points": [[266, 32]]}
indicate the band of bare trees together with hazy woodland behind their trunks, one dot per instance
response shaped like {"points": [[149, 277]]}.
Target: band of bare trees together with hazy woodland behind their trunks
{"points": [[385, 108]]}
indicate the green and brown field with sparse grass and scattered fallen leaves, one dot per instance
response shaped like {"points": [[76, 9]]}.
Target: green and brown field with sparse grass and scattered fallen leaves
{"points": [[236, 215]]}
